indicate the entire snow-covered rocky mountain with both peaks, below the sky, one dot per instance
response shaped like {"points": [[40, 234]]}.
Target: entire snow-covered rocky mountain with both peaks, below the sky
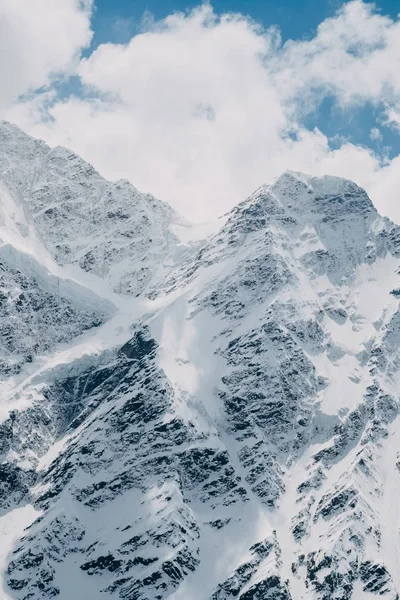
{"points": [[195, 420]]}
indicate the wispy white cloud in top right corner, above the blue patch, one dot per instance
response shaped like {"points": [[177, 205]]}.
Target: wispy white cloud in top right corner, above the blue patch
{"points": [[353, 56]]}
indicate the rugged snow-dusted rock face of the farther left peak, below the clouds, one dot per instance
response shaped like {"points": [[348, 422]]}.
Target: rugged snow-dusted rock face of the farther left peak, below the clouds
{"points": [[108, 229]]}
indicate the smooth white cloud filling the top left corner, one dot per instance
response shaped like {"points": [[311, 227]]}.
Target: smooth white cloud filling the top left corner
{"points": [[38, 39]]}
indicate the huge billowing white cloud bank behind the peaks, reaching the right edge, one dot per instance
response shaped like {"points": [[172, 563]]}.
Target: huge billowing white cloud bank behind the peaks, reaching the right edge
{"points": [[200, 109]]}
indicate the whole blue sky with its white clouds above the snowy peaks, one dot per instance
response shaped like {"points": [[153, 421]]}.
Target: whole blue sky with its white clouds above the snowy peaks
{"points": [[201, 108]]}
